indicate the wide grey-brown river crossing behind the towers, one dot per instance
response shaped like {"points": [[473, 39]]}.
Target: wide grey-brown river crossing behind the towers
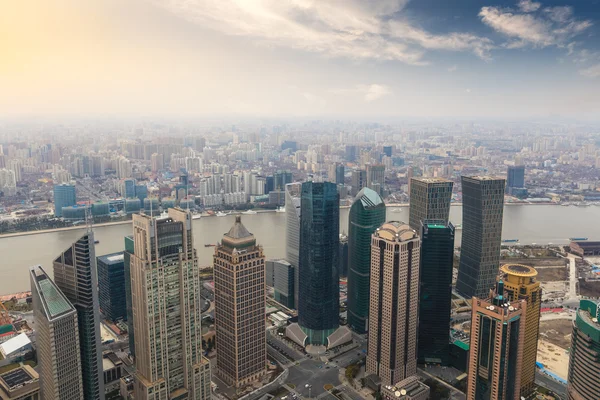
{"points": [[541, 224]]}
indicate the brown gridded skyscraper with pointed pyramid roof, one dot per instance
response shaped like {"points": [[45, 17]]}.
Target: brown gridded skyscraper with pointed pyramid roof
{"points": [[239, 274]]}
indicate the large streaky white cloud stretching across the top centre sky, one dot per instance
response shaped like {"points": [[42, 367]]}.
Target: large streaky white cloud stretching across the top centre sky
{"points": [[355, 29]]}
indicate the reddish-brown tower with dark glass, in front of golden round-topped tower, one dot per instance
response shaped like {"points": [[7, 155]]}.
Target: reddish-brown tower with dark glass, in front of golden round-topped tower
{"points": [[496, 347]]}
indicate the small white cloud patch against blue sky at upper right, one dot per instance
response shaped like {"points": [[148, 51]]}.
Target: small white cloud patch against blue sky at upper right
{"points": [[554, 26]]}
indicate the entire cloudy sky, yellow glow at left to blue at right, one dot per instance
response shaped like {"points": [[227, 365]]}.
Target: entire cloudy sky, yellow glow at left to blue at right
{"points": [[355, 59]]}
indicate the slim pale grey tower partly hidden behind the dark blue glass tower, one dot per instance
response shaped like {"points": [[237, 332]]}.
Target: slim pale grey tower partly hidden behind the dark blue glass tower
{"points": [[292, 231]]}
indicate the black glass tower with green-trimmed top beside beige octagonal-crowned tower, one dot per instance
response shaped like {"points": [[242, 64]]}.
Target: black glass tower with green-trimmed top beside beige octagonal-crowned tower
{"points": [[435, 297]]}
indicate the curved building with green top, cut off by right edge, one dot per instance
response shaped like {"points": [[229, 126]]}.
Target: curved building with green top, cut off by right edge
{"points": [[584, 364]]}
